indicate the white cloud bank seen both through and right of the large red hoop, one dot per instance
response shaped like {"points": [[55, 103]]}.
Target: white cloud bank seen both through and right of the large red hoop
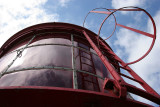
{"points": [[134, 45]]}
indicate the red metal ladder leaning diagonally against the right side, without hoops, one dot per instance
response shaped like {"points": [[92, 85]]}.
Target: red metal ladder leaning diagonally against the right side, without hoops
{"points": [[118, 81]]}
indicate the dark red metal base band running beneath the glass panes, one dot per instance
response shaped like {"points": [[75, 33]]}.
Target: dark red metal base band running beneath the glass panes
{"points": [[53, 96]]}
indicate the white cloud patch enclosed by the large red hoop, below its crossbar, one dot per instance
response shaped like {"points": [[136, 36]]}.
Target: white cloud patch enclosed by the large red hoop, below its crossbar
{"points": [[134, 44]]}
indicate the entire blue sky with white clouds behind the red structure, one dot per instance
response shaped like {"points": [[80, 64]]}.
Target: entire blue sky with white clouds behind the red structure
{"points": [[16, 15]]}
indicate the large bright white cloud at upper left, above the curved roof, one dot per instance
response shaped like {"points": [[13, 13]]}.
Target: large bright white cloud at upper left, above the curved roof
{"points": [[18, 14]]}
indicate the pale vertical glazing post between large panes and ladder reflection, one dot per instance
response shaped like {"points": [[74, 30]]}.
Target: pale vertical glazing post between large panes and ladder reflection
{"points": [[75, 85]]}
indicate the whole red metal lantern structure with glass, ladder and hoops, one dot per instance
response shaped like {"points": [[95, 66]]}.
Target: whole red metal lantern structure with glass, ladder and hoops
{"points": [[67, 65]]}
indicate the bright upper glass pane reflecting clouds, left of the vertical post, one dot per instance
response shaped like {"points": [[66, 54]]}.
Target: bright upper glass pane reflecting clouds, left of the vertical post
{"points": [[40, 56]]}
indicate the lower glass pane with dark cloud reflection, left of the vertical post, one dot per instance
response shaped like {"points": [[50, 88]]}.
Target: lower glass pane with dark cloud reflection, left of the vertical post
{"points": [[43, 77]]}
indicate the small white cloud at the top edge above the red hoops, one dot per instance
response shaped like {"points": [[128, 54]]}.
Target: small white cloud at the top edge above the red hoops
{"points": [[122, 3]]}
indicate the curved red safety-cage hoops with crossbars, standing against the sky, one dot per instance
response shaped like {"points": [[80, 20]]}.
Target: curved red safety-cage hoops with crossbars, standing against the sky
{"points": [[135, 30]]}
